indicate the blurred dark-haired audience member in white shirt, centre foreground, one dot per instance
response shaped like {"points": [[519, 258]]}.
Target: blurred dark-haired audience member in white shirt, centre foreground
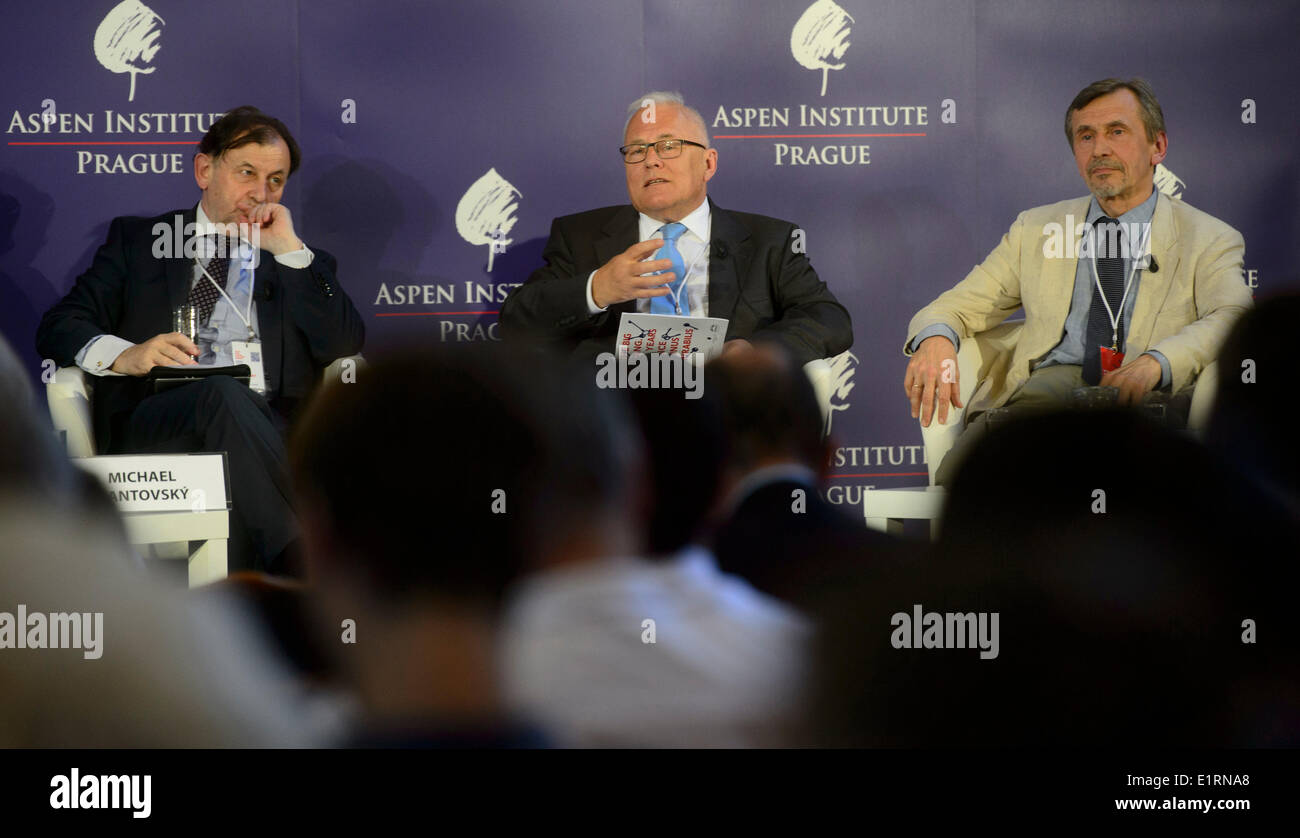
{"points": [[634, 637]]}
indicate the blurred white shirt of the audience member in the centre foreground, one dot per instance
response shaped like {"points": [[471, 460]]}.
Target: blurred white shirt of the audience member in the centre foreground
{"points": [[725, 671]]}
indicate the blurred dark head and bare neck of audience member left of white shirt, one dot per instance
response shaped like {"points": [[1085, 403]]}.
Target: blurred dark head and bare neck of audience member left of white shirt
{"points": [[427, 488]]}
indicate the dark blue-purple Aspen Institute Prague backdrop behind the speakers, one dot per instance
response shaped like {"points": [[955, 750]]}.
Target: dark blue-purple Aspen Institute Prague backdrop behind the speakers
{"points": [[941, 120]]}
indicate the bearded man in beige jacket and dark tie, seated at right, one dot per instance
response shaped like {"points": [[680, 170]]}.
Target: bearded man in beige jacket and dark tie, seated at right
{"points": [[1126, 289]]}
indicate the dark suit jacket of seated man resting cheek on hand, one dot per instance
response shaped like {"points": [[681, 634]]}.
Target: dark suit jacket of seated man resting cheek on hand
{"points": [[305, 318]]}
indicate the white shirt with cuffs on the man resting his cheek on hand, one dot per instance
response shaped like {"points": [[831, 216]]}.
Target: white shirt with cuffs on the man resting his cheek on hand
{"points": [[226, 325]]}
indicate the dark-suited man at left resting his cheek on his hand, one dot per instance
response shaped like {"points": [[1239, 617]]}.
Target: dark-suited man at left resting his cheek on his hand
{"points": [[261, 290]]}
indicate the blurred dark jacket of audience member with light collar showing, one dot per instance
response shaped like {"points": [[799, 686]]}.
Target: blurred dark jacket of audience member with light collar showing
{"points": [[798, 557]]}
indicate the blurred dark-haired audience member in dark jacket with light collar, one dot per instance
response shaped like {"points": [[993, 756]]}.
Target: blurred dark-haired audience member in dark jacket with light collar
{"points": [[778, 532]]}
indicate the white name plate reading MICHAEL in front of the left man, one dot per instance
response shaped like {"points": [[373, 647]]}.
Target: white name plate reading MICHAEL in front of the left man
{"points": [[162, 483]]}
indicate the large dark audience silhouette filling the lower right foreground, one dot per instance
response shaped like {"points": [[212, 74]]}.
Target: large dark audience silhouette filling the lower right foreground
{"points": [[1143, 600]]}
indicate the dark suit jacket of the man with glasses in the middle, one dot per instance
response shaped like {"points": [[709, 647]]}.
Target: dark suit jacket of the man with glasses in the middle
{"points": [[756, 281]]}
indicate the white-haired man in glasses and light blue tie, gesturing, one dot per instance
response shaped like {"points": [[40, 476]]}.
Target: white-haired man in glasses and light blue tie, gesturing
{"points": [[746, 268]]}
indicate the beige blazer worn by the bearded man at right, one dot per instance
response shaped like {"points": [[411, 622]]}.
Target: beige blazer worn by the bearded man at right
{"points": [[1185, 310]]}
